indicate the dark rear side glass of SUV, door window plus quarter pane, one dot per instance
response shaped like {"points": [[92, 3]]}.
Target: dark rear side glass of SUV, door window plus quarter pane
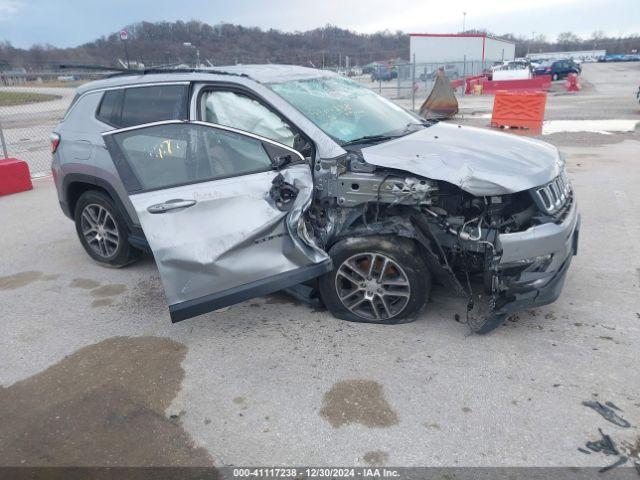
{"points": [[135, 106]]}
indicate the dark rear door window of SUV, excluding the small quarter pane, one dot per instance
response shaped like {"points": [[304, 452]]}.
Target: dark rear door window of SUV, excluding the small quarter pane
{"points": [[153, 104]]}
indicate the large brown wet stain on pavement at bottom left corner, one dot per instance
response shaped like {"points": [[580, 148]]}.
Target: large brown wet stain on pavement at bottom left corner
{"points": [[102, 405]]}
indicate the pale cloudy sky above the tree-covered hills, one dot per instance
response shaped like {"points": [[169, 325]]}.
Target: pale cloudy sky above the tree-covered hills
{"points": [[68, 23]]}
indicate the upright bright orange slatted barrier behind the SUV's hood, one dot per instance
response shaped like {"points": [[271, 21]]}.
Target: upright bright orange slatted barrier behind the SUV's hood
{"points": [[519, 109]]}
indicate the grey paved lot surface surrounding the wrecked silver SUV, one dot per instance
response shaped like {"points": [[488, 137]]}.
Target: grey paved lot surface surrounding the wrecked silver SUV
{"points": [[94, 373]]}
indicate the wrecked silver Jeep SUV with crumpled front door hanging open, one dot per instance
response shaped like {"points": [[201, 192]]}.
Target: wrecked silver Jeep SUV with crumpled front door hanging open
{"points": [[250, 179]]}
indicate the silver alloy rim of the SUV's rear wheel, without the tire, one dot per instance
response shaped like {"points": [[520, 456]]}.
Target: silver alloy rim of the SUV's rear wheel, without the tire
{"points": [[100, 230]]}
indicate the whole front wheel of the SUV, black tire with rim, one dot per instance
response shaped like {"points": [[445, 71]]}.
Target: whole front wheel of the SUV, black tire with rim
{"points": [[377, 279]]}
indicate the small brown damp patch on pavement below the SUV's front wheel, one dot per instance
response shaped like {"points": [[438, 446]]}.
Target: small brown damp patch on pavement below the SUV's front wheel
{"points": [[357, 401]]}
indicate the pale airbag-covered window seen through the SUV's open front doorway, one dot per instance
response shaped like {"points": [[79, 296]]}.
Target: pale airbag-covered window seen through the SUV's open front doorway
{"points": [[239, 111]]}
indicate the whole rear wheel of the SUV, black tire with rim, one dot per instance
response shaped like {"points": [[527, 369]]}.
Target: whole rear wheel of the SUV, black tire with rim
{"points": [[102, 230]]}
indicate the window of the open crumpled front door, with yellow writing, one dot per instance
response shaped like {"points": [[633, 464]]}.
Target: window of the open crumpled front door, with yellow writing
{"points": [[168, 155]]}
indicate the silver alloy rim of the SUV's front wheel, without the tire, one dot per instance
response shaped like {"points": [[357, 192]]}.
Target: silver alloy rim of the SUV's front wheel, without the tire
{"points": [[372, 286]]}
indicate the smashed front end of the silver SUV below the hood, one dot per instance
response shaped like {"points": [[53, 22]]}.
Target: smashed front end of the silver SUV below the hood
{"points": [[501, 252]]}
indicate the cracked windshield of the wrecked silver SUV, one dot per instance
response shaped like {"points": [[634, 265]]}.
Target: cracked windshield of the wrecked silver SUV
{"points": [[346, 110]]}
